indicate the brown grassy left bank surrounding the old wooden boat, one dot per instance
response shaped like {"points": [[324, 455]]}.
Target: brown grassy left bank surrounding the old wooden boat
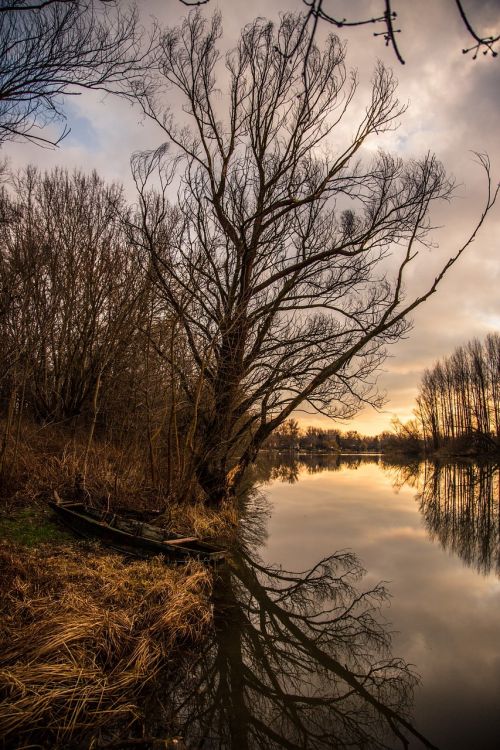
{"points": [[84, 631]]}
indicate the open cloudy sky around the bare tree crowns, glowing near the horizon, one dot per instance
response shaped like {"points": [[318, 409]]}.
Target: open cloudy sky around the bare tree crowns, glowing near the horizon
{"points": [[453, 111]]}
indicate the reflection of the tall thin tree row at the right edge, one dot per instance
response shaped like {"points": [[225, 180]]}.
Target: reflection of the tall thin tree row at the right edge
{"points": [[460, 504]]}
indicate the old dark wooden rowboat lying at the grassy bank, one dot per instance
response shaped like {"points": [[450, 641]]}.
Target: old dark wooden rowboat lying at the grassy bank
{"points": [[129, 534]]}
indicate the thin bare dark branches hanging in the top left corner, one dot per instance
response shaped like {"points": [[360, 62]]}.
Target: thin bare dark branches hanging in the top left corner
{"points": [[51, 49]]}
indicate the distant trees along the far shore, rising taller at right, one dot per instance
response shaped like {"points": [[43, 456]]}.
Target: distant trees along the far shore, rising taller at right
{"points": [[458, 410]]}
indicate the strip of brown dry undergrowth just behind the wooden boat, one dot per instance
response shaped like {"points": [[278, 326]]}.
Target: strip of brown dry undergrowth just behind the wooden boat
{"points": [[48, 458]]}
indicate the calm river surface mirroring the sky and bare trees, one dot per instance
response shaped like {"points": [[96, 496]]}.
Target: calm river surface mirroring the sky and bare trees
{"points": [[301, 655]]}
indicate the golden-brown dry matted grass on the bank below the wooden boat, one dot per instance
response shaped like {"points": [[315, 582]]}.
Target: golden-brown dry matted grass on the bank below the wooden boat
{"points": [[84, 632]]}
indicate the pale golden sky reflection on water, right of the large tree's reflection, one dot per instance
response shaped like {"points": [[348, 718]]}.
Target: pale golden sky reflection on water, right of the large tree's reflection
{"points": [[433, 535]]}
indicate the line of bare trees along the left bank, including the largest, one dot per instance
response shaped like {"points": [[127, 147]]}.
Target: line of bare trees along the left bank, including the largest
{"points": [[250, 277]]}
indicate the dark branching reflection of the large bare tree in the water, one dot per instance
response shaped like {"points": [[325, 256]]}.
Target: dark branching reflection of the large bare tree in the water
{"points": [[295, 660]]}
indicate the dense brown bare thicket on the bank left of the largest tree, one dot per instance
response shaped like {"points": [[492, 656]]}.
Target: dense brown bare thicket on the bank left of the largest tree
{"points": [[80, 322]]}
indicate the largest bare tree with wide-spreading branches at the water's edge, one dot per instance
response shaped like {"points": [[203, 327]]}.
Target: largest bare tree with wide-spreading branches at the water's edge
{"points": [[288, 268]]}
